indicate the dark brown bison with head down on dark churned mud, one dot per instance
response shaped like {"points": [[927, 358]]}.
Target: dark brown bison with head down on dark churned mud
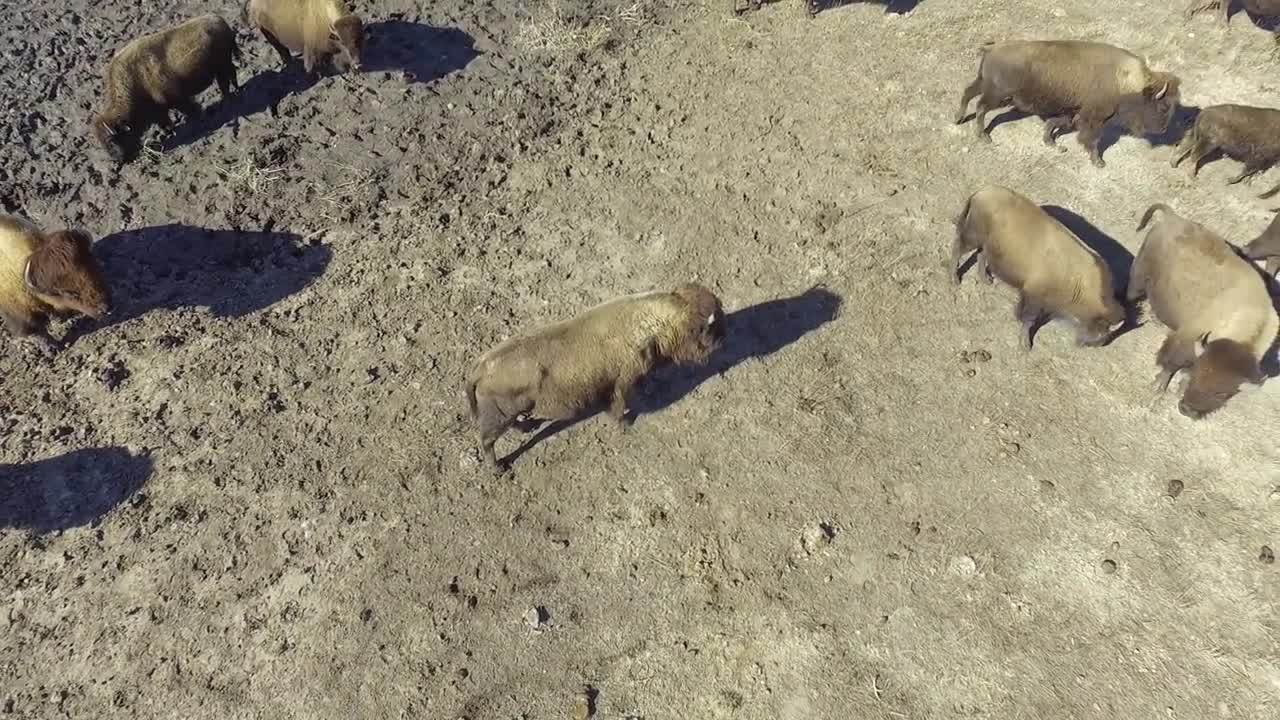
{"points": [[159, 72]]}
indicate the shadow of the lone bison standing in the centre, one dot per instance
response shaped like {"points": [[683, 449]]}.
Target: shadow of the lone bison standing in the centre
{"points": [[751, 332]]}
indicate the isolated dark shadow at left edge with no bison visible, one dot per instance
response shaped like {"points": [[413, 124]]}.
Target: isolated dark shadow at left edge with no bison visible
{"points": [[70, 491]]}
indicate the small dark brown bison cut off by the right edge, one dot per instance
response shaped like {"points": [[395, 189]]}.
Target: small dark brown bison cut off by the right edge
{"points": [[1242, 133]]}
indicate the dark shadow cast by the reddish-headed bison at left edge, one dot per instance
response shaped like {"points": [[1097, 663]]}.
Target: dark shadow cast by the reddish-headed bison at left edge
{"points": [[234, 274]]}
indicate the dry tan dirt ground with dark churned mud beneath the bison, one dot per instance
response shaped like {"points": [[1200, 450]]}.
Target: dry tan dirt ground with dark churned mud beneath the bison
{"points": [[254, 493]]}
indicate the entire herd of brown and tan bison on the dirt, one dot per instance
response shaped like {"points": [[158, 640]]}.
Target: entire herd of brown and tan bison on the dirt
{"points": [[1210, 295]]}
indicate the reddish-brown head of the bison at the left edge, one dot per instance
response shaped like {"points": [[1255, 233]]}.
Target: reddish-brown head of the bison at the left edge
{"points": [[65, 275]]}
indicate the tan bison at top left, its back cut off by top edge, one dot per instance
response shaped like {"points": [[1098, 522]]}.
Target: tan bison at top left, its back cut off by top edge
{"points": [[317, 29]]}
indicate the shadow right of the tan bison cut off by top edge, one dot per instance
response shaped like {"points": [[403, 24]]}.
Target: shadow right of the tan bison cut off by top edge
{"points": [[424, 53]]}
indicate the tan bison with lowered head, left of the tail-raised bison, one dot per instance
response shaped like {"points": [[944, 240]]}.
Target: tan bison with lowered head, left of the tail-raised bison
{"points": [[1054, 272]]}
